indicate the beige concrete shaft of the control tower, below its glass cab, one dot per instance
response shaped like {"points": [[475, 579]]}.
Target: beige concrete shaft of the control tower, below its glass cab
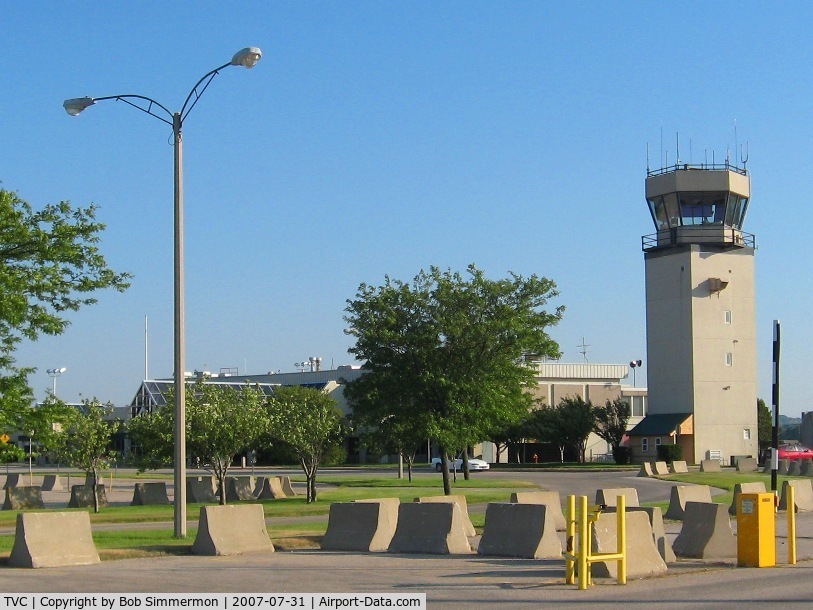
{"points": [[701, 360]]}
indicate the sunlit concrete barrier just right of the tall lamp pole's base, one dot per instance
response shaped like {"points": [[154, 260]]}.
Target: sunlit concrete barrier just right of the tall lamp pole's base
{"points": [[232, 530]]}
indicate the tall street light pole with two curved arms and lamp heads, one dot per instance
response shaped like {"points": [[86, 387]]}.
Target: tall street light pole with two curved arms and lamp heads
{"points": [[247, 58]]}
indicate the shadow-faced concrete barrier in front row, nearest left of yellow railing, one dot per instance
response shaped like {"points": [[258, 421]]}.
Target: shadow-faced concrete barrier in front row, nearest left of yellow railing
{"points": [[520, 530]]}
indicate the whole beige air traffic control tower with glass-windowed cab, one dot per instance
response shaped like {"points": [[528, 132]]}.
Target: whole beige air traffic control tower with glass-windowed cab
{"points": [[700, 310]]}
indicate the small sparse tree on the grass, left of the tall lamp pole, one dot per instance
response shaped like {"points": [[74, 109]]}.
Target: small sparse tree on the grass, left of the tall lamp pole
{"points": [[85, 441]]}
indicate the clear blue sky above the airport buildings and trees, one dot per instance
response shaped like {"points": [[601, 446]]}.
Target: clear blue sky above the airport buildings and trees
{"points": [[380, 138]]}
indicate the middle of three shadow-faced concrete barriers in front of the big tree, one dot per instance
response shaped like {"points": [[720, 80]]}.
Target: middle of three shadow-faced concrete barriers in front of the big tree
{"points": [[430, 527]]}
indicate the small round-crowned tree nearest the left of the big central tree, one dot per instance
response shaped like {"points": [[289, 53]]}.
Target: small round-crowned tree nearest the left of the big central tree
{"points": [[309, 422]]}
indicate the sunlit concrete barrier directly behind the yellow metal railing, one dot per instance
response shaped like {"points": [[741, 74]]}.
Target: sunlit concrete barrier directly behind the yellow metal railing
{"points": [[643, 558]]}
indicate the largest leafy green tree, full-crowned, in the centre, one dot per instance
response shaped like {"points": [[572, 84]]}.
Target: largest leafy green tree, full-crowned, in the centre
{"points": [[446, 352]]}
